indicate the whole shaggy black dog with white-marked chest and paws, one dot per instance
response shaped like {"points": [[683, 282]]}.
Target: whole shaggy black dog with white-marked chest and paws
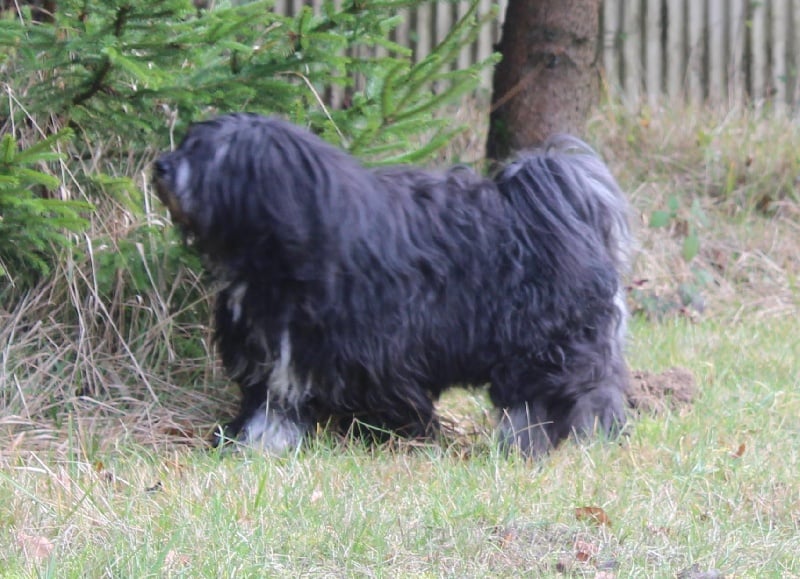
{"points": [[362, 294]]}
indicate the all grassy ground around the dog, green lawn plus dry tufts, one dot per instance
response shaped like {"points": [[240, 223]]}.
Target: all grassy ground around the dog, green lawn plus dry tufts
{"points": [[108, 393]]}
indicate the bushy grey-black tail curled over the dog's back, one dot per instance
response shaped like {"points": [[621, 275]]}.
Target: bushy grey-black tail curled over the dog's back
{"points": [[565, 187]]}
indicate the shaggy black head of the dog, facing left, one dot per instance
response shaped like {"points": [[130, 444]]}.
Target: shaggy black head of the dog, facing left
{"points": [[230, 178]]}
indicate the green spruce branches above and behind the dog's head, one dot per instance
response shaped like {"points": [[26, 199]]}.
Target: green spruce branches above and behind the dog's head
{"points": [[120, 79]]}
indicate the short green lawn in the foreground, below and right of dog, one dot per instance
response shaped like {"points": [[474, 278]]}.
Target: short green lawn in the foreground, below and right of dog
{"points": [[675, 491]]}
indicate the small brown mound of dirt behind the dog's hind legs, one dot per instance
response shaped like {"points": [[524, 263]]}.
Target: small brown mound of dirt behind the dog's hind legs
{"points": [[656, 393]]}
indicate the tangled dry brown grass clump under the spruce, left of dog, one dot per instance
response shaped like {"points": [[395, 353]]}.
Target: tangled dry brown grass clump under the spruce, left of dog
{"points": [[73, 360]]}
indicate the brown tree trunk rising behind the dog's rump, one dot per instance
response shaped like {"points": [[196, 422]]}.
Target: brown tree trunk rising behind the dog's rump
{"points": [[548, 80]]}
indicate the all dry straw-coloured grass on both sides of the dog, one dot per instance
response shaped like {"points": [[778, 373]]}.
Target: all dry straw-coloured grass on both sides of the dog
{"points": [[110, 364]]}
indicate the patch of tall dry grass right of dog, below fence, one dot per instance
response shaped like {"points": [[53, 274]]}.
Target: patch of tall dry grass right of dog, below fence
{"points": [[736, 176]]}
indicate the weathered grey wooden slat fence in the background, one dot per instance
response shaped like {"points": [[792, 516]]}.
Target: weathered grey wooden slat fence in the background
{"points": [[718, 51]]}
